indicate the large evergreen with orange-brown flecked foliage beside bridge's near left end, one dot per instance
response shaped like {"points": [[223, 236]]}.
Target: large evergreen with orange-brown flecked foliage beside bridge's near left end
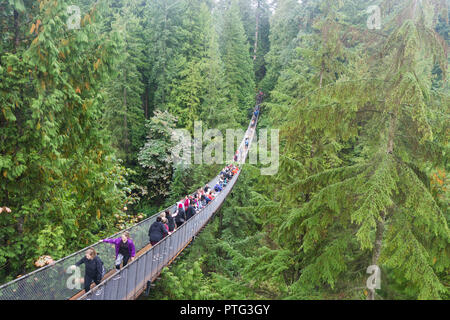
{"points": [[55, 159]]}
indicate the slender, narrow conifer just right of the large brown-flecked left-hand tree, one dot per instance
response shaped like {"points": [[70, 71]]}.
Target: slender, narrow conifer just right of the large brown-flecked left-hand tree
{"points": [[124, 113]]}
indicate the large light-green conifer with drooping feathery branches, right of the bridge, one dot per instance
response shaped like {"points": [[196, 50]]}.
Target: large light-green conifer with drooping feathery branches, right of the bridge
{"points": [[373, 207]]}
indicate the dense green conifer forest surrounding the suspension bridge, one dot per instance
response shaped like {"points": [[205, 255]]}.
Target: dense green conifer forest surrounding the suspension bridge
{"points": [[89, 104]]}
